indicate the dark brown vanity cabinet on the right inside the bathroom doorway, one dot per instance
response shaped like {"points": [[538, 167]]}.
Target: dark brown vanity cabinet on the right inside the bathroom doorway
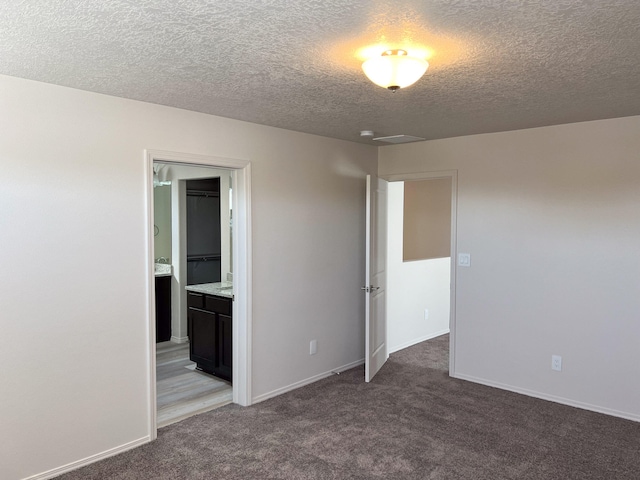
{"points": [[210, 333]]}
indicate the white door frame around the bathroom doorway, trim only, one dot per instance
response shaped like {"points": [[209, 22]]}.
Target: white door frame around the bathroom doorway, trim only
{"points": [[242, 268]]}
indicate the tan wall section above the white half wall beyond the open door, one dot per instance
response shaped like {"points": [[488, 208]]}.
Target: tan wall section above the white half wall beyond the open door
{"points": [[427, 219]]}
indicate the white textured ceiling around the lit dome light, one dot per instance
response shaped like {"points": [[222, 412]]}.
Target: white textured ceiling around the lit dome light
{"points": [[494, 65]]}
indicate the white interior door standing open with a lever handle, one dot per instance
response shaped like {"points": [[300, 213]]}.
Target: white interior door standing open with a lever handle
{"points": [[375, 277]]}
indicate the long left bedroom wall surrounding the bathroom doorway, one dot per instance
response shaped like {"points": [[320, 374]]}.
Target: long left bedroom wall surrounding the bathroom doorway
{"points": [[74, 360]]}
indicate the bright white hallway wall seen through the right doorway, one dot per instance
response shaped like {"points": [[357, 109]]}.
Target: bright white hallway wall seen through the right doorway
{"points": [[413, 286]]}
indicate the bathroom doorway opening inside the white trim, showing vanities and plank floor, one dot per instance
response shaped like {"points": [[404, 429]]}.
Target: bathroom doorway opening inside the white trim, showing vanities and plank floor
{"points": [[192, 228]]}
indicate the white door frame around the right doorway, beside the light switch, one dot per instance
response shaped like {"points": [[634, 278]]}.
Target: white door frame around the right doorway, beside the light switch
{"points": [[453, 175]]}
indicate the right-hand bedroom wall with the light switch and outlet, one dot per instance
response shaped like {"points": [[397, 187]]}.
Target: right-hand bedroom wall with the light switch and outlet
{"points": [[550, 218]]}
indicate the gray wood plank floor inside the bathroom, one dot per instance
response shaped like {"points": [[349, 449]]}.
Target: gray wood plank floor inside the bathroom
{"points": [[183, 391]]}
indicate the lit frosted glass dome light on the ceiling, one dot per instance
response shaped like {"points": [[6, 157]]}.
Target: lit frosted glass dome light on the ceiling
{"points": [[394, 69]]}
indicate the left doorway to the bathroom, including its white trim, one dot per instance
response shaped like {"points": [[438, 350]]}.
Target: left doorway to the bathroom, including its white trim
{"points": [[200, 355]]}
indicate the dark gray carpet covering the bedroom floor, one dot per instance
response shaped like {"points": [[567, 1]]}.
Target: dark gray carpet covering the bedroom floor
{"points": [[411, 422]]}
